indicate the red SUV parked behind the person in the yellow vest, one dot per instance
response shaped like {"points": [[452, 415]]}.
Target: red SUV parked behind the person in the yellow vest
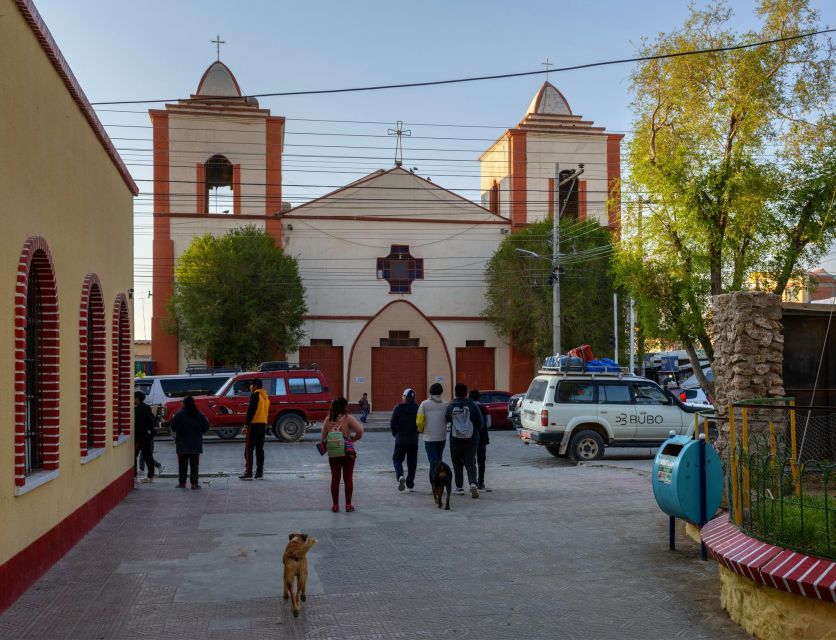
{"points": [[298, 397]]}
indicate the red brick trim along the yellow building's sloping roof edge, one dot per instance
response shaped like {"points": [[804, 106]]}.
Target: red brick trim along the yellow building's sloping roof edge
{"points": [[41, 32]]}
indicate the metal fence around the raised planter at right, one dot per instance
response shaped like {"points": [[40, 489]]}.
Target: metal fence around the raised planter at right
{"points": [[781, 473]]}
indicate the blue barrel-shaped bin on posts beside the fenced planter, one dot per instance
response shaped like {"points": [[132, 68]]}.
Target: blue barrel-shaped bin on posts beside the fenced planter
{"points": [[676, 479]]}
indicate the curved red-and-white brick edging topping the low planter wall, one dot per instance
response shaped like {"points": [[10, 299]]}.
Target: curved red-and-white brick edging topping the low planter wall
{"points": [[769, 565]]}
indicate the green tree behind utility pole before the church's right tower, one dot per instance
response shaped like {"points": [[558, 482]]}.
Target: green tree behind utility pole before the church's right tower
{"points": [[519, 292]]}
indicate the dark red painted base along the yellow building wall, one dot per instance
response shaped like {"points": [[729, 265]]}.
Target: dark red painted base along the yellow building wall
{"points": [[22, 570]]}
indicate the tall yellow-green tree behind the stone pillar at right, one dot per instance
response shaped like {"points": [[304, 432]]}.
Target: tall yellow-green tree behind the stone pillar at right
{"points": [[732, 152]]}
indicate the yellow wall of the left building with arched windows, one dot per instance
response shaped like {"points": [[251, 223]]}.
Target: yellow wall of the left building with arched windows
{"points": [[56, 181]]}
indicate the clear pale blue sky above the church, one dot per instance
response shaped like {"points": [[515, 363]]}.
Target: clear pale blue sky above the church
{"points": [[159, 49]]}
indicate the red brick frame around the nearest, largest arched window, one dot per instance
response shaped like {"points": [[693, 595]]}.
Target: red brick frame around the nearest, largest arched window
{"points": [[36, 255]]}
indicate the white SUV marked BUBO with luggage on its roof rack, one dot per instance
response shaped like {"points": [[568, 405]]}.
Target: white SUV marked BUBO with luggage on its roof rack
{"points": [[580, 414]]}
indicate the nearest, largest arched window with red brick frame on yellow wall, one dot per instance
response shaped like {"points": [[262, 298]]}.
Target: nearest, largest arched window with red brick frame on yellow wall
{"points": [[37, 350]]}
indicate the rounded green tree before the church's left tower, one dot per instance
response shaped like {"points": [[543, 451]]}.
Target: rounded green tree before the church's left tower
{"points": [[238, 298]]}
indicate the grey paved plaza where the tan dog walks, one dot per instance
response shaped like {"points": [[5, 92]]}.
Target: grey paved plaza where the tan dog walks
{"points": [[555, 551]]}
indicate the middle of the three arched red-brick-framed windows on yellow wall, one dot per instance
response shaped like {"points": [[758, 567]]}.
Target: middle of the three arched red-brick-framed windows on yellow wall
{"points": [[93, 349]]}
